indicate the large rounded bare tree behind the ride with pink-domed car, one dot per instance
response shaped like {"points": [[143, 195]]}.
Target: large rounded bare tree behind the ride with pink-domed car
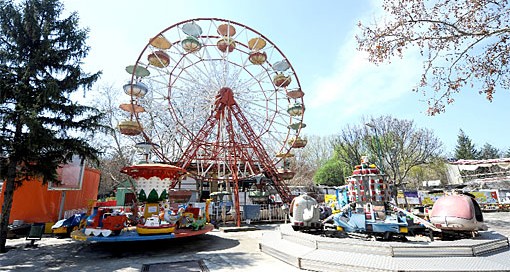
{"points": [[396, 146]]}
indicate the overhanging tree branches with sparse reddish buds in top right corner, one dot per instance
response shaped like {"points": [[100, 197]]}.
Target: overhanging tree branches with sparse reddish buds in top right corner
{"points": [[464, 44]]}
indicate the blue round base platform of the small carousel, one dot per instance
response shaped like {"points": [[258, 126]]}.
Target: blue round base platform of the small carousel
{"points": [[130, 235]]}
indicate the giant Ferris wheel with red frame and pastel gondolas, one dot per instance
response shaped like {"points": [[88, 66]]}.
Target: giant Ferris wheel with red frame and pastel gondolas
{"points": [[218, 98]]}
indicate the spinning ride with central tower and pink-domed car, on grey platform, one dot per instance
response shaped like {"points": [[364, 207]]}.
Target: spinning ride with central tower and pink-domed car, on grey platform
{"points": [[363, 207]]}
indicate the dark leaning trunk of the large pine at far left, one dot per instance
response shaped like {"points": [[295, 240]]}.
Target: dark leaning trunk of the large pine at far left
{"points": [[7, 205]]}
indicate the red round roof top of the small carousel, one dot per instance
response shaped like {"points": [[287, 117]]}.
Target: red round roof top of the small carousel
{"points": [[149, 170]]}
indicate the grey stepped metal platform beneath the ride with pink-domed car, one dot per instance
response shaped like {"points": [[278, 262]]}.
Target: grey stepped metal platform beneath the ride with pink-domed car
{"points": [[488, 252]]}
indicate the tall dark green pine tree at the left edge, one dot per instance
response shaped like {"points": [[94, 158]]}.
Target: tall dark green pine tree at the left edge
{"points": [[40, 126]]}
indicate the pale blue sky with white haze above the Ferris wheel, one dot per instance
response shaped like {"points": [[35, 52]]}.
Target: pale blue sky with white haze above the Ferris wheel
{"points": [[318, 38]]}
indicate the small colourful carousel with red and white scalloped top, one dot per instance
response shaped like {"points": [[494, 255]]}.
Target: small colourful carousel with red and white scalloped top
{"points": [[155, 216]]}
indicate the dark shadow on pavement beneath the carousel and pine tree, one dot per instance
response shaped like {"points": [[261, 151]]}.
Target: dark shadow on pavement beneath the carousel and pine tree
{"points": [[78, 256]]}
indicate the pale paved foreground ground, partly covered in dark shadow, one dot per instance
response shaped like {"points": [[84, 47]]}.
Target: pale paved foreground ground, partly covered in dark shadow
{"points": [[219, 251]]}
